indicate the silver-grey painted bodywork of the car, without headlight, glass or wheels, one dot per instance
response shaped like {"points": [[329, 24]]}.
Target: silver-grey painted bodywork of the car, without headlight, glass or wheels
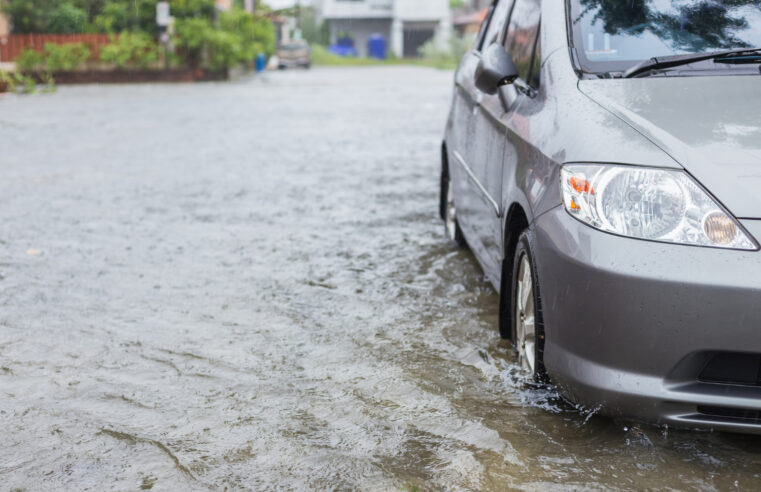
{"points": [[629, 322]]}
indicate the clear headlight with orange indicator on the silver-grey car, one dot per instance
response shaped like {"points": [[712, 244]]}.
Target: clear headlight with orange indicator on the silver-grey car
{"points": [[648, 203]]}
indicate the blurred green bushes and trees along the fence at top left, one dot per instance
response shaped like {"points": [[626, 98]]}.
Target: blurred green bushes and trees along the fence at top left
{"points": [[202, 38]]}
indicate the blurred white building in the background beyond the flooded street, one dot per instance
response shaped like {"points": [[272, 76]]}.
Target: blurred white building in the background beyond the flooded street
{"points": [[405, 24]]}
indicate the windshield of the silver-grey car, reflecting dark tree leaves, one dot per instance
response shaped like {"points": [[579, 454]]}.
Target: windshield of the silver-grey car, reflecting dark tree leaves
{"points": [[614, 35]]}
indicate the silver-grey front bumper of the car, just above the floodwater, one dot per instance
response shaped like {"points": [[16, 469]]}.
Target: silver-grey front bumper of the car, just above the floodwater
{"points": [[631, 325]]}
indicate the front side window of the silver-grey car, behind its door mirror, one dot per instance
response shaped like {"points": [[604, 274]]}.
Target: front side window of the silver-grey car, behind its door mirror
{"points": [[522, 35]]}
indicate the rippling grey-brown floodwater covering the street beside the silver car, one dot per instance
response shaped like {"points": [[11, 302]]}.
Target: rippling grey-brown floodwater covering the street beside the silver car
{"points": [[245, 285]]}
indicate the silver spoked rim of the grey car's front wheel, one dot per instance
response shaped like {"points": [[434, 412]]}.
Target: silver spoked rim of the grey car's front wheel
{"points": [[525, 320]]}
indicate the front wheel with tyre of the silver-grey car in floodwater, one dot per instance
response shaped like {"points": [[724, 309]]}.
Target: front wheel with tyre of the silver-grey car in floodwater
{"points": [[526, 310]]}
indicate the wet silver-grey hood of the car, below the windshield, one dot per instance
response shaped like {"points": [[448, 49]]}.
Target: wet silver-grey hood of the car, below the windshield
{"points": [[709, 125]]}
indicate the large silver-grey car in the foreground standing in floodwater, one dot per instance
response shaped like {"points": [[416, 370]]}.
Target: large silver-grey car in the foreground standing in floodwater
{"points": [[602, 159]]}
